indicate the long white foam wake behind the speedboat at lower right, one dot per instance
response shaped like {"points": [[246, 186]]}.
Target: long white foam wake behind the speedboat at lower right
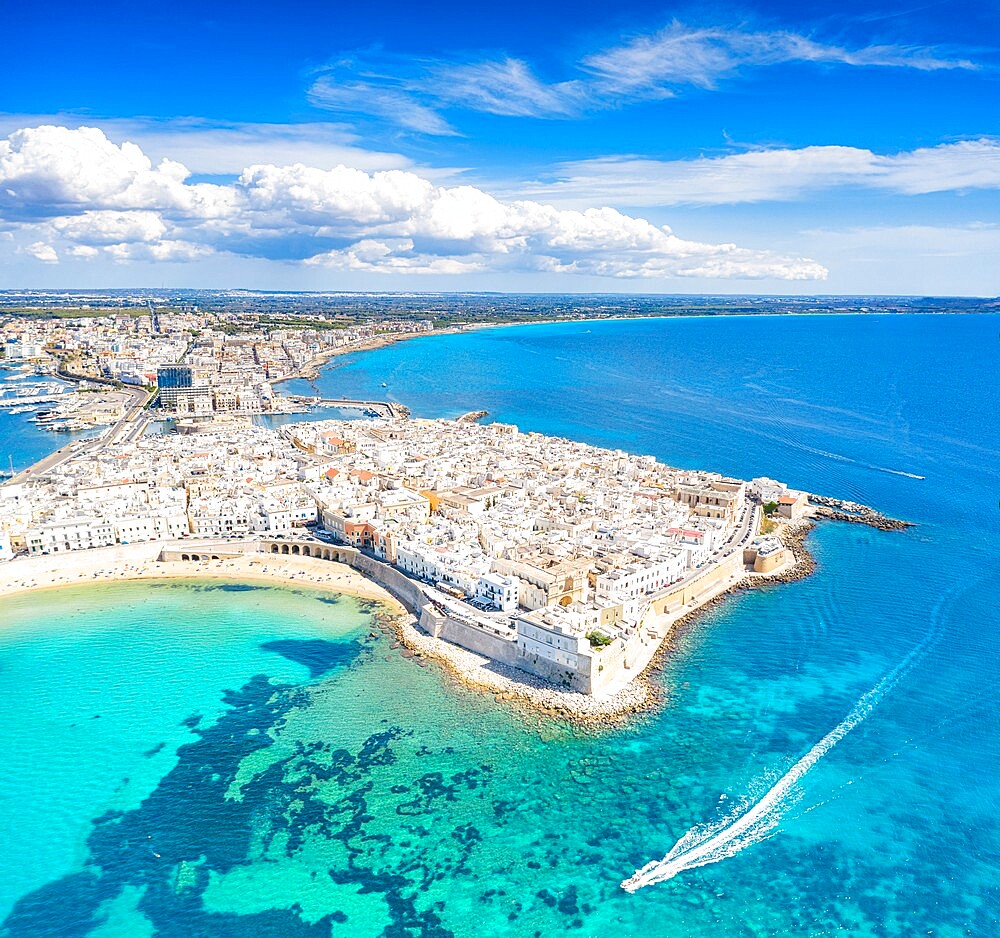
{"points": [[710, 843]]}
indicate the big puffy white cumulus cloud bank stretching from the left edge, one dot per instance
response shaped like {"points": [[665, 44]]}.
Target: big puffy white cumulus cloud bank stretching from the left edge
{"points": [[96, 198]]}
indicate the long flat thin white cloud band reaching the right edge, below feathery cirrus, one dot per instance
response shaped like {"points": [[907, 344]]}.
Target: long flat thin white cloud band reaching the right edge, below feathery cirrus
{"points": [[771, 175]]}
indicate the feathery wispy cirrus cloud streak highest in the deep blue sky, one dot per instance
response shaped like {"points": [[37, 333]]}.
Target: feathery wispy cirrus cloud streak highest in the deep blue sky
{"points": [[414, 93]]}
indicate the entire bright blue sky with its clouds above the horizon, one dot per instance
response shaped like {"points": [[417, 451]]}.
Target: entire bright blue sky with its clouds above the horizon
{"points": [[628, 147]]}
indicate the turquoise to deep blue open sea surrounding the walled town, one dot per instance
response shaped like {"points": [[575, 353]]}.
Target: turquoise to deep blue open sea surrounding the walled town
{"points": [[219, 760]]}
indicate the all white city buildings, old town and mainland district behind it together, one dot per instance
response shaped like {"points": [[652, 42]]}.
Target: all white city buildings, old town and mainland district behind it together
{"points": [[558, 558]]}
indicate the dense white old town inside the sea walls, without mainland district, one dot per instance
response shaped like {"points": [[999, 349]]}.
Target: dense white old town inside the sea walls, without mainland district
{"points": [[550, 555]]}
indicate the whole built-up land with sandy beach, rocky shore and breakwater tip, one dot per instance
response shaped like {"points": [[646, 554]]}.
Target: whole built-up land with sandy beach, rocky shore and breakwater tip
{"points": [[543, 569]]}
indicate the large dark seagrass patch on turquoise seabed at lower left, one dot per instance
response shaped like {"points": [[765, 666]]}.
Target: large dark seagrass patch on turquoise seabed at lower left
{"points": [[190, 830]]}
